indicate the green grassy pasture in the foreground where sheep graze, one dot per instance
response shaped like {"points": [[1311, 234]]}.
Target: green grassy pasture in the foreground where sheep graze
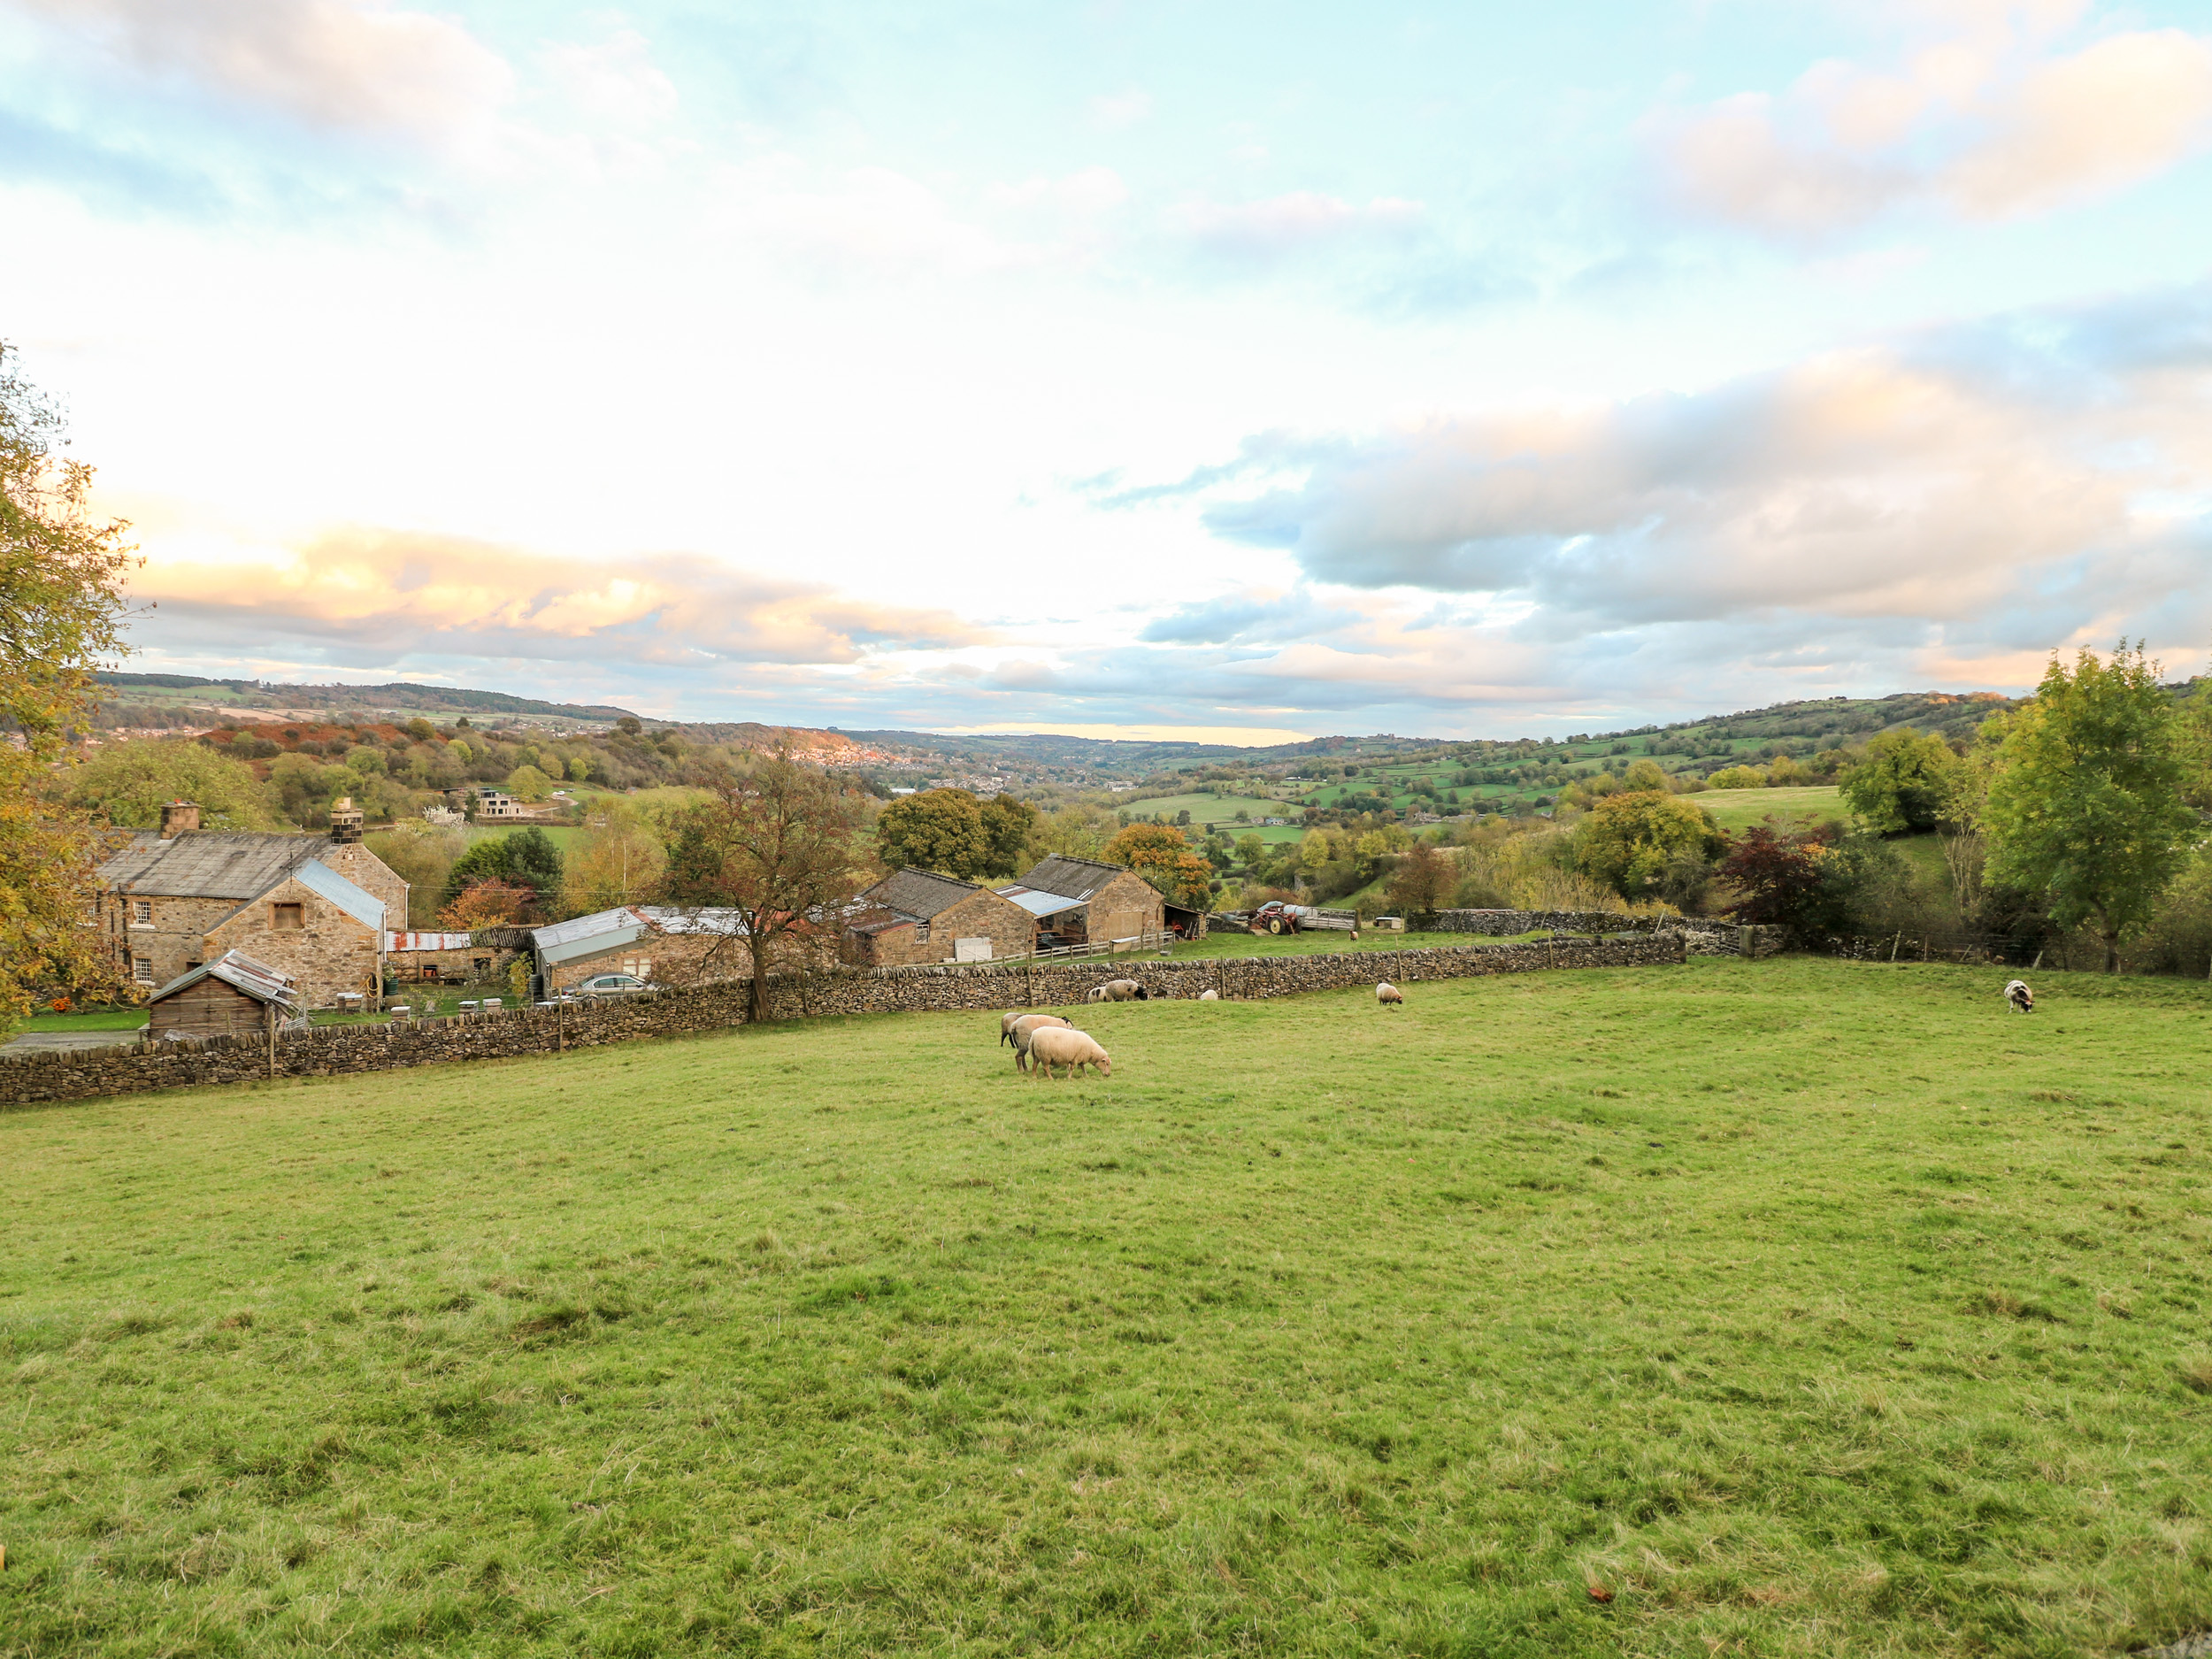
{"points": [[1788, 1308]]}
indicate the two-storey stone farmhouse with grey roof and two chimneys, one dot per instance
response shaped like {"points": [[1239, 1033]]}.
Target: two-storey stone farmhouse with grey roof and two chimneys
{"points": [[309, 908]]}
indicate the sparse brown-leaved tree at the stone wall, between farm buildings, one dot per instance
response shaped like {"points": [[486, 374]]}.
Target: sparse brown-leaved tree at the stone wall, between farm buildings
{"points": [[782, 848]]}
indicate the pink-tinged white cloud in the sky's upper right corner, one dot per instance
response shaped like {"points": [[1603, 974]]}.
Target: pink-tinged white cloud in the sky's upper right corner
{"points": [[1983, 121]]}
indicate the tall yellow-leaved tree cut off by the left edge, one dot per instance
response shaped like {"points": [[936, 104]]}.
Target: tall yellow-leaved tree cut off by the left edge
{"points": [[61, 616]]}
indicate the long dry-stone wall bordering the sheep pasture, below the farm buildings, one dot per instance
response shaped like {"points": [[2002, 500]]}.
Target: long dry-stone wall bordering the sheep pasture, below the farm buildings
{"points": [[326, 1052]]}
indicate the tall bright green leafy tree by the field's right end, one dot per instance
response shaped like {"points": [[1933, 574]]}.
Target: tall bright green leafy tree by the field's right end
{"points": [[2087, 802]]}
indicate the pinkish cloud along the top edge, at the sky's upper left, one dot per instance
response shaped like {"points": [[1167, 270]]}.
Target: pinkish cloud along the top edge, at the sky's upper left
{"points": [[364, 67]]}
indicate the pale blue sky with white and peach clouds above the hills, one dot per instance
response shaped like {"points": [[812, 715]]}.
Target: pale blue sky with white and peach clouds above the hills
{"points": [[1215, 371]]}
